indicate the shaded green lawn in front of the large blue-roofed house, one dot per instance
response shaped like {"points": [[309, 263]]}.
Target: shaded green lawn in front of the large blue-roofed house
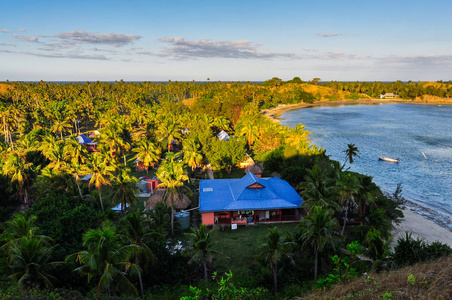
{"points": [[240, 247]]}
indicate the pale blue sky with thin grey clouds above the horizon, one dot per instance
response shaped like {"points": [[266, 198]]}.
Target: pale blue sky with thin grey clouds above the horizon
{"points": [[368, 40]]}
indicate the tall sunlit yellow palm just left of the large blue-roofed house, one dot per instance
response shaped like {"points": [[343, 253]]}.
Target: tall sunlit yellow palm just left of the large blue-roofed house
{"points": [[172, 175]]}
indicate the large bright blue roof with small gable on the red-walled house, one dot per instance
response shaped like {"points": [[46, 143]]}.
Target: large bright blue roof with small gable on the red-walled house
{"points": [[247, 193]]}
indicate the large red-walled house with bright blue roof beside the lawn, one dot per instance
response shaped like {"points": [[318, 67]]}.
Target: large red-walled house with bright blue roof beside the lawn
{"points": [[249, 199]]}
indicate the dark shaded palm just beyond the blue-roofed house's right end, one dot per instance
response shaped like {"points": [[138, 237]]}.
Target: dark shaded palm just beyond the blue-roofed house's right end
{"points": [[316, 229]]}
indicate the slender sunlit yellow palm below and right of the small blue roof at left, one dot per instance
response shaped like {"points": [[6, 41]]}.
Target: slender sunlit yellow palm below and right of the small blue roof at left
{"points": [[99, 174]]}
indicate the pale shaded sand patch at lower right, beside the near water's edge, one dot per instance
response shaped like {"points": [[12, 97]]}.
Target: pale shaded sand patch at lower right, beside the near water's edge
{"points": [[423, 228]]}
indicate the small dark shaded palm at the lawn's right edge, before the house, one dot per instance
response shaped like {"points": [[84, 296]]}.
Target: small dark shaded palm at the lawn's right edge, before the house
{"points": [[276, 247]]}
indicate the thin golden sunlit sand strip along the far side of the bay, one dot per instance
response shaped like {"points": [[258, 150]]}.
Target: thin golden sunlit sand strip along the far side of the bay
{"points": [[275, 113]]}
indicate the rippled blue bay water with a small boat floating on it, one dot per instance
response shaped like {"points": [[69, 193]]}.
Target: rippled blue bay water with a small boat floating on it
{"points": [[394, 130]]}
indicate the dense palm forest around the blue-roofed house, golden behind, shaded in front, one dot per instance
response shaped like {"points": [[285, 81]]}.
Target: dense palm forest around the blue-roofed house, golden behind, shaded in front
{"points": [[60, 238]]}
